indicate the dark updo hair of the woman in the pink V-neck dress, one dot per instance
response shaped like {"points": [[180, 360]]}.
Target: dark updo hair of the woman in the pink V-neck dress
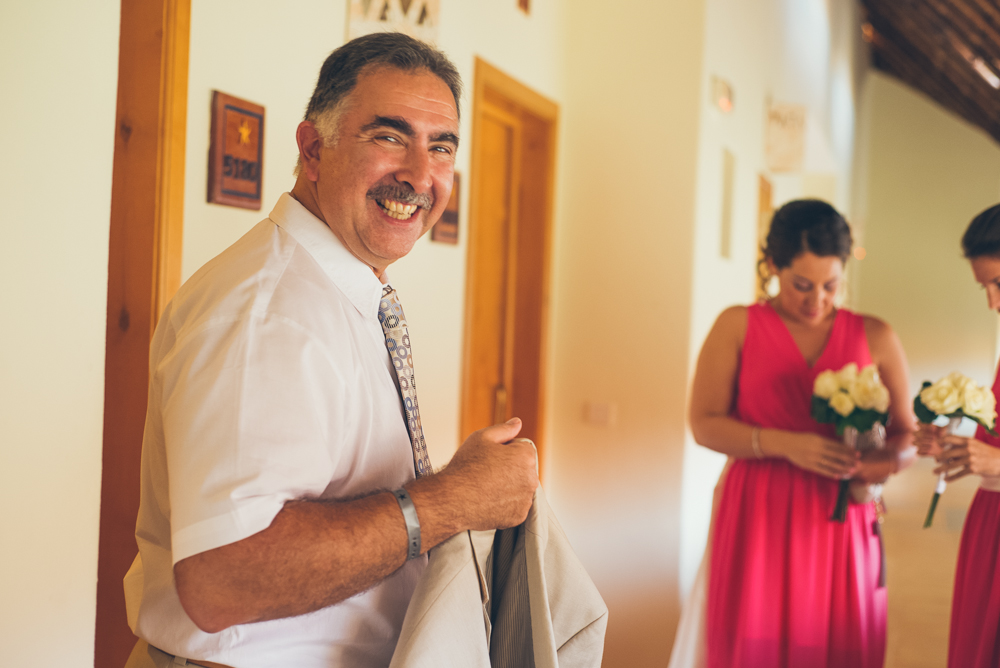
{"points": [[805, 225]]}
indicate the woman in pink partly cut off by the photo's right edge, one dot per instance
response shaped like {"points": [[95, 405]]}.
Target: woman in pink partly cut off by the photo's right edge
{"points": [[974, 640]]}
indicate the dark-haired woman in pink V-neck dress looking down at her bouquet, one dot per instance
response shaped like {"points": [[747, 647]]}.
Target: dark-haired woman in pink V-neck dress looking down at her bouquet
{"points": [[788, 587]]}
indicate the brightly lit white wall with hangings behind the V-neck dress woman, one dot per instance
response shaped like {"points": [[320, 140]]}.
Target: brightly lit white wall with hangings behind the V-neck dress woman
{"points": [[812, 55]]}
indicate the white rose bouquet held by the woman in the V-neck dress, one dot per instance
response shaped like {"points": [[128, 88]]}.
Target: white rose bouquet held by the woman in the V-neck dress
{"points": [[854, 402]]}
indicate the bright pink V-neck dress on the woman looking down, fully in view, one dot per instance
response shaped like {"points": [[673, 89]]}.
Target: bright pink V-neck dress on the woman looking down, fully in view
{"points": [[787, 587]]}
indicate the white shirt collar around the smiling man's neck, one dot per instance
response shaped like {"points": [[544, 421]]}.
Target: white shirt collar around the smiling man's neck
{"points": [[352, 276]]}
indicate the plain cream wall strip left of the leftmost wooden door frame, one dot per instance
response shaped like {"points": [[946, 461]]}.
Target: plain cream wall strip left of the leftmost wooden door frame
{"points": [[59, 68]]}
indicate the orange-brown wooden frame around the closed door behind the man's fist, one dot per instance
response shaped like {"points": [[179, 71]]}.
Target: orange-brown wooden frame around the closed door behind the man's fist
{"points": [[488, 77]]}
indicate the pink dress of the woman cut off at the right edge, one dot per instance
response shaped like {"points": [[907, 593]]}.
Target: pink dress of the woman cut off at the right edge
{"points": [[974, 641]]}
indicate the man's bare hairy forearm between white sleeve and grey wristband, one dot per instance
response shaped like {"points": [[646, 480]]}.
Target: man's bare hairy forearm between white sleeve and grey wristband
{"points": [[313, 554]]}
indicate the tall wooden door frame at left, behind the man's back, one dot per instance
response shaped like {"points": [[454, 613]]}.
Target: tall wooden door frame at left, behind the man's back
{"points": [[144, 271]]}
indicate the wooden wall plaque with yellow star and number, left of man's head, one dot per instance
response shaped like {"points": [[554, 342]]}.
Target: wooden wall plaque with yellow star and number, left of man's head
{"points": [[236, 152]]}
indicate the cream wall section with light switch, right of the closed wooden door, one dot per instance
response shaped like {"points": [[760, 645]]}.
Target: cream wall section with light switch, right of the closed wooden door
{"points": [[622, 288]]}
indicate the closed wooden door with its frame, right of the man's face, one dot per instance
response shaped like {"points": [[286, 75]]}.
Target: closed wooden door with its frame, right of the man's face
{"points": [[509, 238]]}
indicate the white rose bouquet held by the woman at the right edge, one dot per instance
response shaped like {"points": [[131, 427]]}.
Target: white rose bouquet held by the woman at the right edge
{"points": [[955, 396]]}
